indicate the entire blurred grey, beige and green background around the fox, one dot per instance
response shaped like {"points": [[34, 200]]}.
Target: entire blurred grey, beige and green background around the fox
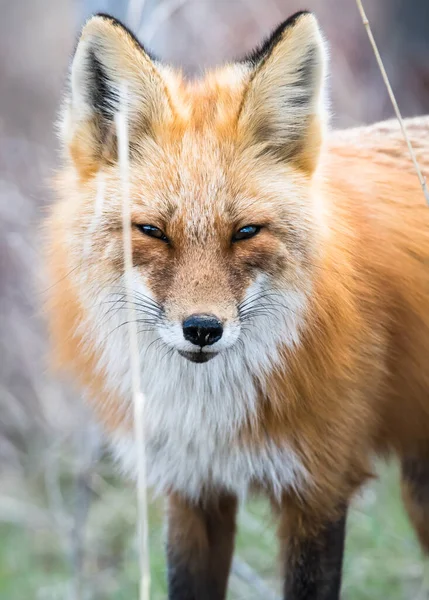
{"points": [[66, 518]]}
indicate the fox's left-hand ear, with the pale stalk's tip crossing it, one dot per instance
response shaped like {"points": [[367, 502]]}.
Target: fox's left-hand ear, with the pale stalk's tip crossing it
{"points": [[108, 59]]}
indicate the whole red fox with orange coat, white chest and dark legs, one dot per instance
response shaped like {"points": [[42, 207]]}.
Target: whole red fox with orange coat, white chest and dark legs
{"points": [[281, 285]]}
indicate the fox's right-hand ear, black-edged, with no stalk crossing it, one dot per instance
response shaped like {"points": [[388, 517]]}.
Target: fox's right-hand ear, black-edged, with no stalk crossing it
{"points": [[282, 110]]}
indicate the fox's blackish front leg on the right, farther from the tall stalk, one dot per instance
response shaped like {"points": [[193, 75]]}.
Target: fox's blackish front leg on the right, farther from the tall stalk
{"points": [[312, 555]]}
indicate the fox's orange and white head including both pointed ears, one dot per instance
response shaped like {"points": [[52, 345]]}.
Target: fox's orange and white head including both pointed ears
{"points": [[224, 216]]}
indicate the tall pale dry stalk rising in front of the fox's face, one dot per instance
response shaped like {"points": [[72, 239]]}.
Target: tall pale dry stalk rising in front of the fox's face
{"points": [[121, 122]]}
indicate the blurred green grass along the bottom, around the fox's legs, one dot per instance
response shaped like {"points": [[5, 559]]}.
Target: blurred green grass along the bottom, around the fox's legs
{"points": [[382, 559]]}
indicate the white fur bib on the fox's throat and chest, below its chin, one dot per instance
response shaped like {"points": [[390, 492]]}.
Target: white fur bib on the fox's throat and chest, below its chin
{"points": [[194, 412]]}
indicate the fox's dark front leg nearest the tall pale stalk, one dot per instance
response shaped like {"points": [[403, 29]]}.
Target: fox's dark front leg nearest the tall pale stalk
{"points": [[200, 546]]}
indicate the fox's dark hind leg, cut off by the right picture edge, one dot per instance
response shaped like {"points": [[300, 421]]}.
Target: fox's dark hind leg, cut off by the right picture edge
{"points": [[415, 493]]}
